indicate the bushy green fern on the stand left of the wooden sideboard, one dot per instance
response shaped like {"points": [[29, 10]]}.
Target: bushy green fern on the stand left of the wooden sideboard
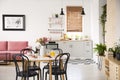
{"points": [[100, 49]]}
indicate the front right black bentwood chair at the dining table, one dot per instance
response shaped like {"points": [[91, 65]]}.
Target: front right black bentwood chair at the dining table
{"points": [[62, 69]]}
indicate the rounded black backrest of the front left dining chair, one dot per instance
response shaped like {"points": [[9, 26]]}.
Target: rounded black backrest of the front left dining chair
{"points": [[24, 62]]}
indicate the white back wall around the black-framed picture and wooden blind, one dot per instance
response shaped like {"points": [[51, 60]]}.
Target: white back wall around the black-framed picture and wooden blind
{"points": [[37, 13]]}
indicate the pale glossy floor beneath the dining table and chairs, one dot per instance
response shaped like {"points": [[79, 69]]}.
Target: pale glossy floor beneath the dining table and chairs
{"points": [[75, 72]]}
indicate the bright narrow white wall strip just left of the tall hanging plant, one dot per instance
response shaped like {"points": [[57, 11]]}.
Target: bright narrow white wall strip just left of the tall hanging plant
{"points": [[95, 20]]}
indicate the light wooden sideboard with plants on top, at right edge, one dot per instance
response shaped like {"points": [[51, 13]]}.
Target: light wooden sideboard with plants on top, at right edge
{"points": [[112, 68]]}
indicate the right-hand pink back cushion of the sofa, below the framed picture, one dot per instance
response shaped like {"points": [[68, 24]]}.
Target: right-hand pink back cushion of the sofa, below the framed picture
{"points": [[17, 45]]}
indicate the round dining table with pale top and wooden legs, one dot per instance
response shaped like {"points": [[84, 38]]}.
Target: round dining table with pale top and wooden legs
{"points": [[42, 59]]}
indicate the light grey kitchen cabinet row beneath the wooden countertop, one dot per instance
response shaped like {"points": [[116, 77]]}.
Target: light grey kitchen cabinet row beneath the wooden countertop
{"points": [[77, 48]]}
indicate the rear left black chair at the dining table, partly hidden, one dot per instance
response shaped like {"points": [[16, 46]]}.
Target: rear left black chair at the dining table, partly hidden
{"points": [[33, 66]]}
